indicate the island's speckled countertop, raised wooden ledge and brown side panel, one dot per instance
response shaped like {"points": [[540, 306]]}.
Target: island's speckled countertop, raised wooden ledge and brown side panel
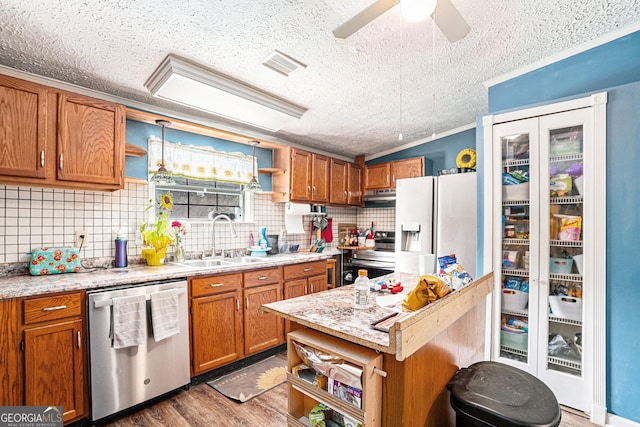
{"points": [[421, 352]]}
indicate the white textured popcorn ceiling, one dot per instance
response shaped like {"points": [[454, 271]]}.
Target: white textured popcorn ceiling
{"points": [[388, 78]]}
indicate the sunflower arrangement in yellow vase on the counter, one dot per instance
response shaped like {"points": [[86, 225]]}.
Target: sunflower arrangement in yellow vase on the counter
{"points": [[159, 234]]}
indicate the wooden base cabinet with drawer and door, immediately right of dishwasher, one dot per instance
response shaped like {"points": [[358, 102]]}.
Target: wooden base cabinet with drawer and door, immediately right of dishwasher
{"points": [[216, 321]]}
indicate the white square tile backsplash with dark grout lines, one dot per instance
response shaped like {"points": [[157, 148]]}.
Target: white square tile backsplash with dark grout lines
{"points": [[35, 217]]}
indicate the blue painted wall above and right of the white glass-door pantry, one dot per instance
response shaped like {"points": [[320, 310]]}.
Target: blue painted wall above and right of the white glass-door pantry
{"points": [[614, 67]]}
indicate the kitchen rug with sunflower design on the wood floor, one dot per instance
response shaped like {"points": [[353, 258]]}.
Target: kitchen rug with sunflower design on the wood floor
{"points": [[253, 380]]}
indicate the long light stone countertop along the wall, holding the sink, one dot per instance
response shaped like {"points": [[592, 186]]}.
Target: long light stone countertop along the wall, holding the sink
{"points": [[88, 279]]}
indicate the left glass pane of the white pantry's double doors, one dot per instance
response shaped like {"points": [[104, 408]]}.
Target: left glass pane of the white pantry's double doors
{"points": [[516, 259]]}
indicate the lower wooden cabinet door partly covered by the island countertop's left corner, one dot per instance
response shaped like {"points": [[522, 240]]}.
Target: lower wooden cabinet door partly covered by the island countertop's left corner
{"points": [[261, 330]]}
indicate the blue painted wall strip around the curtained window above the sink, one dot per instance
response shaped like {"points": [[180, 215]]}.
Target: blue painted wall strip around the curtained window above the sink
{"points": [[138, 133]]}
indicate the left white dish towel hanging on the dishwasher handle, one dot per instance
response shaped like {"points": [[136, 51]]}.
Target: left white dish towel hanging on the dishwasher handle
{"points": [[128, 321]]}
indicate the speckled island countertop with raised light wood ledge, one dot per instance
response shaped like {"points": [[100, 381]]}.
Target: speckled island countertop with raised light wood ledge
{"points": [[333, 313]]}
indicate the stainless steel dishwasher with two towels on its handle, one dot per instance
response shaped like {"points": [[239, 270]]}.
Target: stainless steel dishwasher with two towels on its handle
{"points": [[124, 377]]}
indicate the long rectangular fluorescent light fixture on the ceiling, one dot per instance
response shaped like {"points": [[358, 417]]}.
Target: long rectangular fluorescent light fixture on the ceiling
{"points": [[180, 81]]}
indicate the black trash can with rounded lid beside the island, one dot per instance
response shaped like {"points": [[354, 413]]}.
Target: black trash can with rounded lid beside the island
{"points": [[495, 394]]}
